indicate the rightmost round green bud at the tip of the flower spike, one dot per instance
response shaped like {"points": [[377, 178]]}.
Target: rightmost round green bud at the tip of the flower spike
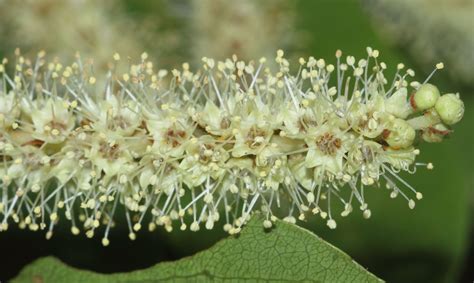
{"points": [[450, 108]]}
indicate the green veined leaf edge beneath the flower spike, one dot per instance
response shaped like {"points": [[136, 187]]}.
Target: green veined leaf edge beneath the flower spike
{"points": [[286, 253]]}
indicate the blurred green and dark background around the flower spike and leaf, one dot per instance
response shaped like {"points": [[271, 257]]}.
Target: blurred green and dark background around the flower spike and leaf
{"points": [[432, 243]]}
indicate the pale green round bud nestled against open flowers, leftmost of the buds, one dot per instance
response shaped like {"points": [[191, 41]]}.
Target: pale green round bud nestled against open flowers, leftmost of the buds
{"points": [[400, 134]]}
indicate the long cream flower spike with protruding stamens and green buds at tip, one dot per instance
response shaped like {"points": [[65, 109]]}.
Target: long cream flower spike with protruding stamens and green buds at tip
{"points": [[213, 145]]}
